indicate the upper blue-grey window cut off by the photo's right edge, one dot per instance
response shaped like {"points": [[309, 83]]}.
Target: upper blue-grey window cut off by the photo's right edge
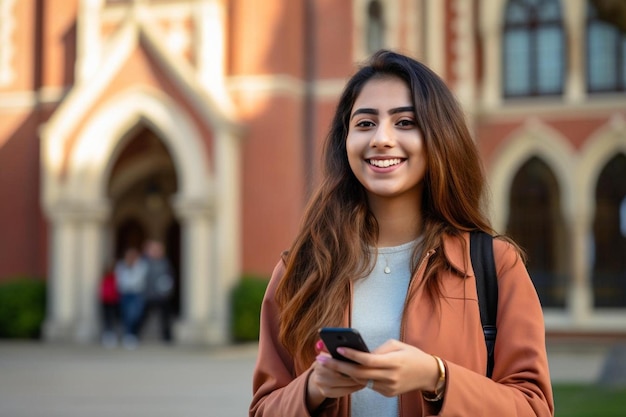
{"points": [[606, 54]]}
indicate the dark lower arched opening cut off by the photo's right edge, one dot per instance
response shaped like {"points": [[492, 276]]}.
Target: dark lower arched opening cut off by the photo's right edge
{"points": [[609, 269]]}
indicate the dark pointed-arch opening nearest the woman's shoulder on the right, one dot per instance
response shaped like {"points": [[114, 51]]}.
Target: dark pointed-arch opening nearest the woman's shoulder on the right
{"points": [[536, 224]]}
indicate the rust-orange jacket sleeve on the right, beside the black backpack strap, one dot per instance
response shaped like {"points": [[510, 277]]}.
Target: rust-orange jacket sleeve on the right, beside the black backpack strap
{"points": [[521, 379]]}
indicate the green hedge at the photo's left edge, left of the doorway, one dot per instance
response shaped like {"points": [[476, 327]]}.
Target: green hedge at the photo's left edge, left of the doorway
{"points": [[22, 307]]}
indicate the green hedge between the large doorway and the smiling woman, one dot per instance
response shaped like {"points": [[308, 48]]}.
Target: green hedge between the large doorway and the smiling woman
{"points": [[246, 299]]}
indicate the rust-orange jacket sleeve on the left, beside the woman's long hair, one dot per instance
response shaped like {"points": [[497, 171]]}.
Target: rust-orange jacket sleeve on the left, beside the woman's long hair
{"points": [[277, 390]]}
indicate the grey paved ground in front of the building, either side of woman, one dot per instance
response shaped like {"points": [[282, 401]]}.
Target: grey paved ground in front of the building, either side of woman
{"points": [[50, 380]]}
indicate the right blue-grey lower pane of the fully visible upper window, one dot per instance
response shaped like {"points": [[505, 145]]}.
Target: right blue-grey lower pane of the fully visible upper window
{"points": [[550, 59]]}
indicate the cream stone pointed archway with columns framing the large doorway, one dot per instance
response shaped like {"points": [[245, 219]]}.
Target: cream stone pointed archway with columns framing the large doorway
{"points": [[79, 210]]}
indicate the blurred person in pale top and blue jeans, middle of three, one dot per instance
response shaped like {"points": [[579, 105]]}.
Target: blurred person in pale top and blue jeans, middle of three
{"points": [[131, 277]]}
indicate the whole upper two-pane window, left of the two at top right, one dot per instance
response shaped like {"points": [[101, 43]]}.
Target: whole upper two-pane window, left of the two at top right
{"points": [[533, 48]]}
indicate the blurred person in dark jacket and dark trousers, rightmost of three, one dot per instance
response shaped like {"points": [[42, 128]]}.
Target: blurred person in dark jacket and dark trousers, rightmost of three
{"points": [[159, 287]]}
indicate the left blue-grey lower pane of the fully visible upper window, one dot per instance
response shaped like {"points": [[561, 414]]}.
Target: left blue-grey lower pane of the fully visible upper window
{"points": [[517, 71]]}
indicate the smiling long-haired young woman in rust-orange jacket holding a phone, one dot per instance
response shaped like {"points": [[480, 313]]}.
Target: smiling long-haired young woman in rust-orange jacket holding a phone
{"points": [[384, 248]]}
